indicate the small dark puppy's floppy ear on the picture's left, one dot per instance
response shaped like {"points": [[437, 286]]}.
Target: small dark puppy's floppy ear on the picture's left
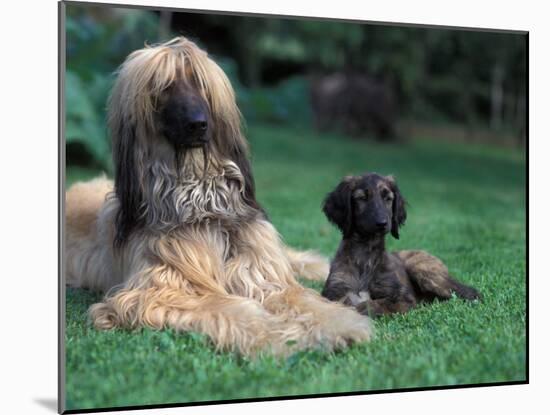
{"points": [[338, 205]]}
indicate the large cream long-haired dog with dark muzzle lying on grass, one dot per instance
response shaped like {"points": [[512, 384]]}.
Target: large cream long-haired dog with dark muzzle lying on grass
{"points": [[180, 241]]}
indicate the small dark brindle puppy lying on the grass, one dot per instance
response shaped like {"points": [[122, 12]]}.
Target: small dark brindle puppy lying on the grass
{"points": [[363, 274]]}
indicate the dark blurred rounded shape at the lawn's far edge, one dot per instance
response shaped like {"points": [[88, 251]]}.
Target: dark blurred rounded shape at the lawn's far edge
{"points": [[354, 103]]}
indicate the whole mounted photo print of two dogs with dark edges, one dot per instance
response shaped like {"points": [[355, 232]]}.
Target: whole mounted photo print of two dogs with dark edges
{"points": [[258, 207]]}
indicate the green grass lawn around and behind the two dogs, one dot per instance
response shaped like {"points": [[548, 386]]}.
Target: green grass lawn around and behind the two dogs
{"points": [[466, 205]]}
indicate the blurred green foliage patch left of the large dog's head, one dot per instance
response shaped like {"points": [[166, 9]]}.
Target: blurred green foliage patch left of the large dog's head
{"points": [[98, 39]]}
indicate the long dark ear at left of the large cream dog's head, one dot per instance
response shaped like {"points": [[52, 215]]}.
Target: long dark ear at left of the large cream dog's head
{"points": [[127, 182]]}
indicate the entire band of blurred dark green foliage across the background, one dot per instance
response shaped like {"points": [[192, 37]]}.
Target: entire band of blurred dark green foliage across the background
{"points": [[475, 79]]}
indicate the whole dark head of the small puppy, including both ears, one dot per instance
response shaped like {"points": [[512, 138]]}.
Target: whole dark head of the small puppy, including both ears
{"points": [[366, 205]]}
